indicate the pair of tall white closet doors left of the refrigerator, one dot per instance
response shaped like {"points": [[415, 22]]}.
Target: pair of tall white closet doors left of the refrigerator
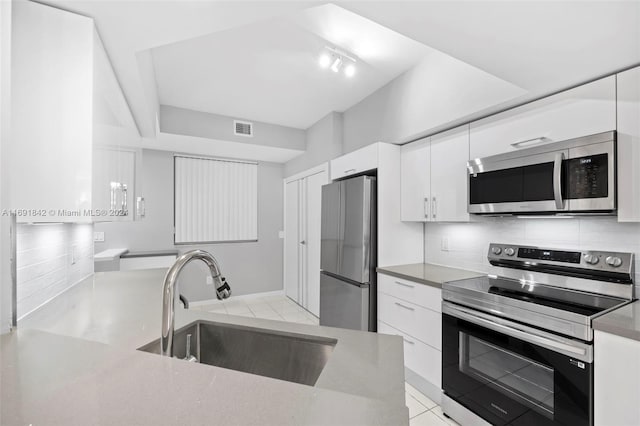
{"points": [[302, 219]]}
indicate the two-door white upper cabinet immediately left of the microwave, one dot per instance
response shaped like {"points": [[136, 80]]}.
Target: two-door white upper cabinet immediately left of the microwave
{"points": [[434, 178]]}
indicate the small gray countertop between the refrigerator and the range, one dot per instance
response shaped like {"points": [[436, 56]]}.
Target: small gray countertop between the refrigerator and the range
{"points": [[426, 273]]}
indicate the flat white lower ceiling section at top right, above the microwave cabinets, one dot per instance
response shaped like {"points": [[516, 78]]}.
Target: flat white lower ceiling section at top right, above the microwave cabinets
{"points": [[541, 46]]}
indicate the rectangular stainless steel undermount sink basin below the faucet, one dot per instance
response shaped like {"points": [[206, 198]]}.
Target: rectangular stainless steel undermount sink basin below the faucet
{"points": [[297, 358]]}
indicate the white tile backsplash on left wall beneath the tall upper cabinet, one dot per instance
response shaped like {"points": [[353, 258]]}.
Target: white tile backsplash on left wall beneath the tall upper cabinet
{"points": [[44, 261]]}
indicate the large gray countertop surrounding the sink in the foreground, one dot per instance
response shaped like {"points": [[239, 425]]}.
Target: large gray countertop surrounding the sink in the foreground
{"points": [[75, 362]]}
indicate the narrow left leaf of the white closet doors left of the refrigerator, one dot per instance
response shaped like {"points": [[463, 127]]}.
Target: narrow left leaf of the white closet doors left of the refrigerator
{"points": [[292, 240]]}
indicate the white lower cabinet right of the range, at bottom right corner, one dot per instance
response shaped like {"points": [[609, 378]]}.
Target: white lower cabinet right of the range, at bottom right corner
{"points": [[616, 380]]}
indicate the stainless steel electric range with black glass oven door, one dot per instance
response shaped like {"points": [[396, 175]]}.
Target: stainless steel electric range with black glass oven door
{"points": [[517, 345]]}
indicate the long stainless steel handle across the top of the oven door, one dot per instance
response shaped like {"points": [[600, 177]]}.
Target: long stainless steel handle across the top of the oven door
{"points": [[578, 350]]}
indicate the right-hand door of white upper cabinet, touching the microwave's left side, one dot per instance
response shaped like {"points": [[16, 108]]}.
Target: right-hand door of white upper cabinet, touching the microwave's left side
{"points": [[449, 179]]}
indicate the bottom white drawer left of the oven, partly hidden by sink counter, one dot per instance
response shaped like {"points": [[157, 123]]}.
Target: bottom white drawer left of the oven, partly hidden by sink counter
{"points": [[418, 357]]}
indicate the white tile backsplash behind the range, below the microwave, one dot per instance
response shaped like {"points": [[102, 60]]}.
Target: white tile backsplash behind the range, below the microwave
{"points": [[469, 242]]}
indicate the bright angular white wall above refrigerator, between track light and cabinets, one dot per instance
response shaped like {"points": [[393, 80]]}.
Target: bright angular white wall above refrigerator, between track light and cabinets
{"points": [[437, 91]]}
